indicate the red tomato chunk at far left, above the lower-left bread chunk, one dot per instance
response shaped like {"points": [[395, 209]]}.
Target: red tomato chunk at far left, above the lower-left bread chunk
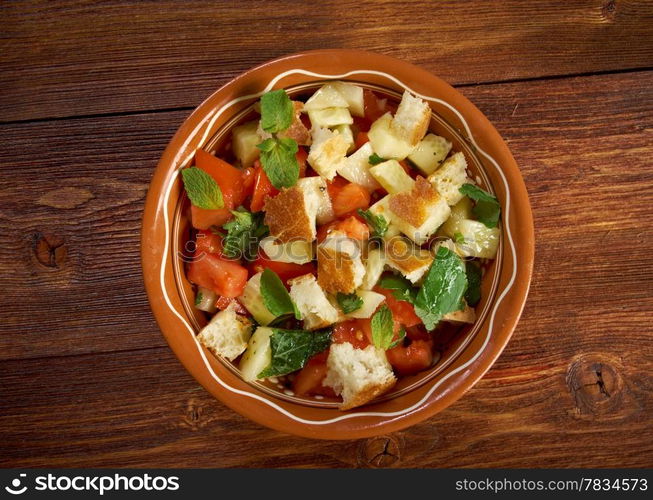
{"points": [[224, 277]]}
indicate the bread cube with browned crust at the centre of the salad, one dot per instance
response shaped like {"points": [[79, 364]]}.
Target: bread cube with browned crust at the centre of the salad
{"points": [[339, 264]]}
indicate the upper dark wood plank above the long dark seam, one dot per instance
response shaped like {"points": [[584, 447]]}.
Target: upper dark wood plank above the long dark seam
{"points": [[79, 57]]}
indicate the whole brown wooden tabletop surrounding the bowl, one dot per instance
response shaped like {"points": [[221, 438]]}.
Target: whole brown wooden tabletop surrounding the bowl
{"points": [[91, 92]]}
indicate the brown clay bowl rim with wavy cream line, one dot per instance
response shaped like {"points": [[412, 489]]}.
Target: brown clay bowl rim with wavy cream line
{"points": [[517, 227]]}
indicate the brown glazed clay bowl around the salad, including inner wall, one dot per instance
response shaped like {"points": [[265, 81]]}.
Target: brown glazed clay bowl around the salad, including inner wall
{"points": [[464, 358]]}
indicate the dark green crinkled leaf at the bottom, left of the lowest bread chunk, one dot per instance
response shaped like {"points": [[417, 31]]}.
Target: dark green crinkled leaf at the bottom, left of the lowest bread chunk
{"points": [[292, 348]]}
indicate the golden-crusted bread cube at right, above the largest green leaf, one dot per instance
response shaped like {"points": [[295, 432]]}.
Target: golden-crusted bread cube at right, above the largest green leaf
{"points": [[419, 212]]}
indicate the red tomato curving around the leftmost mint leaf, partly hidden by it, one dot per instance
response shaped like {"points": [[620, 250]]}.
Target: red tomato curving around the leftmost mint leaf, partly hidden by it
{"points": [[230, 181]]}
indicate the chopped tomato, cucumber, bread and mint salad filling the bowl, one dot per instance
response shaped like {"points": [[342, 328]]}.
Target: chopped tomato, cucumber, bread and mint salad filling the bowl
{"points": [[335, 242]]}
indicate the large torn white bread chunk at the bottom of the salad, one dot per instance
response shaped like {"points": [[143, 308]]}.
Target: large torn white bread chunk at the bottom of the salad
{"points": [[358, 375]]}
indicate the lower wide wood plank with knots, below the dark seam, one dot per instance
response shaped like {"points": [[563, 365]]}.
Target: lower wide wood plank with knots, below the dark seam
{"points": [[87, 380]]}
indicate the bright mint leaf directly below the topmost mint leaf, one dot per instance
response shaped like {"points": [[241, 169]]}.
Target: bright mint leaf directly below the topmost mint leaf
{"points": [[279, 161]]}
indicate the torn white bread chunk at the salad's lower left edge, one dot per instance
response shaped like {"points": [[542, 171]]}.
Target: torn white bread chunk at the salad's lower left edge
{"points": [[226, 334]]}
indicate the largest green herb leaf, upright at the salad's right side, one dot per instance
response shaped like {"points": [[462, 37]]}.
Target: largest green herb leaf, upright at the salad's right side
{"points": [[442, 289]]}
